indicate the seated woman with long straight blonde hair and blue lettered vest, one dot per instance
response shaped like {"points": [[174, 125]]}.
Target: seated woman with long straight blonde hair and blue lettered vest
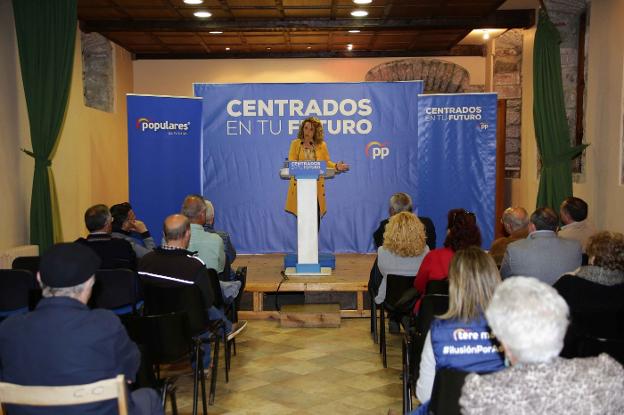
{"points": [[473, 276]]}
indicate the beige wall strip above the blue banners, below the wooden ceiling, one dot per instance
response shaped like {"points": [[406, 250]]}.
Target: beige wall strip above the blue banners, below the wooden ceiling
{"points": [[169, 77]]}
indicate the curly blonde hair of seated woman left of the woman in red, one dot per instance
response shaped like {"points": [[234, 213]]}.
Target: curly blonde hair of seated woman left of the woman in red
{"points": [[405, 235]]}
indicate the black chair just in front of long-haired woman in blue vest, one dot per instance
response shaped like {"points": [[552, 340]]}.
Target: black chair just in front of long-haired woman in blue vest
{"points": [[414, 340]]}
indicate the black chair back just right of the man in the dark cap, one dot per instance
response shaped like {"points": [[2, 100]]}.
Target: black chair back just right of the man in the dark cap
{"points": [[116, 290]]}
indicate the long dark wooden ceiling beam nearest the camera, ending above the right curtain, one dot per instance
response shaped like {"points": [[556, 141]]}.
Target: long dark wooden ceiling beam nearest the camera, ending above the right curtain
{"points": [[500, 19]]}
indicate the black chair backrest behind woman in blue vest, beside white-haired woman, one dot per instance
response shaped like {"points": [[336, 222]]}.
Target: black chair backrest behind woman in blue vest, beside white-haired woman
{"points": [[446, 391]]}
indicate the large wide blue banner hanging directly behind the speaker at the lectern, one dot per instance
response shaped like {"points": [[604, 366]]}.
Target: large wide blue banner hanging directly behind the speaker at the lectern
{"points": [[247, 131]]}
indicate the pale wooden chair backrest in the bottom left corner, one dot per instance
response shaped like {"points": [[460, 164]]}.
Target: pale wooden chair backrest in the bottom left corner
{"points": [[102, 390]]}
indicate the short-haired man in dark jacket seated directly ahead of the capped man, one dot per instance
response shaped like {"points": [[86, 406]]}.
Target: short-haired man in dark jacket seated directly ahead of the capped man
{"points": [[114, 252]]}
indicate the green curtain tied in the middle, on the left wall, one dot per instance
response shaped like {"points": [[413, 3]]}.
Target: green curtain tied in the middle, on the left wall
{"points": [[46, 34]]}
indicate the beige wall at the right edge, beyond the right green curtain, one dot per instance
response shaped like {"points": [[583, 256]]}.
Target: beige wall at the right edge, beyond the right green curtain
{"points": [[604, 115]]}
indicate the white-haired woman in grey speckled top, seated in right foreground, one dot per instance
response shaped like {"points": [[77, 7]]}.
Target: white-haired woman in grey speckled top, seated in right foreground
{"points": [[530, 318]]}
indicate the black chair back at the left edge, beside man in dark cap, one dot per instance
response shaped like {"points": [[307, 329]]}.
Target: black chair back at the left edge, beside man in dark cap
{"points": [[16, 287]]}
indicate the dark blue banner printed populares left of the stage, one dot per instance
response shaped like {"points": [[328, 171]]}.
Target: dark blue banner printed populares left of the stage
{"points": [[164, 155]]}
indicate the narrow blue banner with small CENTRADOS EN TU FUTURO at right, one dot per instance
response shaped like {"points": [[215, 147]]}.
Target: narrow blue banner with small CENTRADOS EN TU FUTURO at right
{"points": [[457, 158]]}
